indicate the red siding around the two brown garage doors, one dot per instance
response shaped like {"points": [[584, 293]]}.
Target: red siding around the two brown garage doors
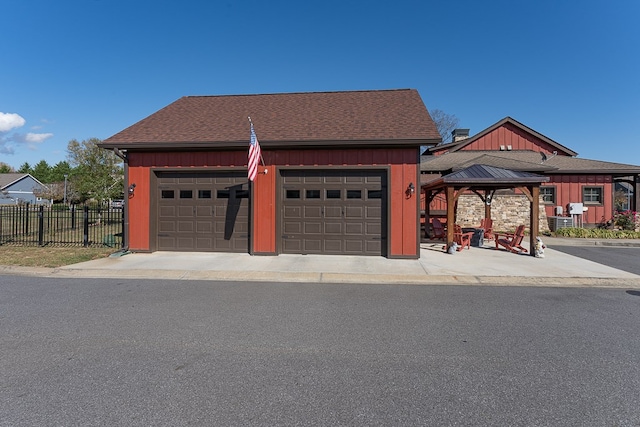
{"points": [[403, 169]]}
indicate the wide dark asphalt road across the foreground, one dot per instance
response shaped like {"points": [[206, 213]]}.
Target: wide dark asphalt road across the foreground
{"points": [[176, 353]]}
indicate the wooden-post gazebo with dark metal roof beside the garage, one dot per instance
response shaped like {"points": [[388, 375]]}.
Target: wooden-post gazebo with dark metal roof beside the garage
{"points": [[484, 181]]}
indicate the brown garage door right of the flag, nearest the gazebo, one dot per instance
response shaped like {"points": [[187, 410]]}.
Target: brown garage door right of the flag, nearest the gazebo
{"points": [[333, 212]]}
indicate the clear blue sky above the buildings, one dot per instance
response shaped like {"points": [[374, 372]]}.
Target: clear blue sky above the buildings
{"points": [[76, 69]]}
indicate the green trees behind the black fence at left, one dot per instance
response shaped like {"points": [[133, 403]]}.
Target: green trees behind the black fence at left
{"points": [[90, 173]]}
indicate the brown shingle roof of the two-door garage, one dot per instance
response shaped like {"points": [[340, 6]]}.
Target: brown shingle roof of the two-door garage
{"points": [[385, 116]]}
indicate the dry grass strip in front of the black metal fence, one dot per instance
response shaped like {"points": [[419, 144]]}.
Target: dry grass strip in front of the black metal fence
{"points": [[36, 256]]}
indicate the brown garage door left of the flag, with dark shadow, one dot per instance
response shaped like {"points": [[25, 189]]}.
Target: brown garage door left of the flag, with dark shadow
{"points": [[203, 212]]}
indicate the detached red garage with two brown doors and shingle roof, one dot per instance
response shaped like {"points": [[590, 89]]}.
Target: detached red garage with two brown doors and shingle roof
{"points": [[337, 175]]}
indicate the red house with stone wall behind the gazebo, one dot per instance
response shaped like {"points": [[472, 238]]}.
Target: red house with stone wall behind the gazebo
{"points": [[579, 191]]}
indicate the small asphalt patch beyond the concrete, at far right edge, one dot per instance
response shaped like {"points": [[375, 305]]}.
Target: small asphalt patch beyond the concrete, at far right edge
{"points": [[620, 257]]}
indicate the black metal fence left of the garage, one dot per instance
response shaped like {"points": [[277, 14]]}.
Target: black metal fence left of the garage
{"points": [[61, 225]]}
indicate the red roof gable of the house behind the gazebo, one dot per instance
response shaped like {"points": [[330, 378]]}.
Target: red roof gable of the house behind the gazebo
{"points": [[500, 134]]}
